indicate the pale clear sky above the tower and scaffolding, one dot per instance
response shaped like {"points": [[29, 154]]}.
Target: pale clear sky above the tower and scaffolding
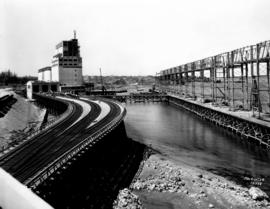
{"points": [[139, 37]]}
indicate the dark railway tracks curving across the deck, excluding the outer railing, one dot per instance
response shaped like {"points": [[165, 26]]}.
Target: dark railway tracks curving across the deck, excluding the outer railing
{"points": [[27, 160]]}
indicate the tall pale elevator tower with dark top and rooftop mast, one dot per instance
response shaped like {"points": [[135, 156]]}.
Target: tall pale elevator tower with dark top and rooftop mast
{"points": [[67, 64]]}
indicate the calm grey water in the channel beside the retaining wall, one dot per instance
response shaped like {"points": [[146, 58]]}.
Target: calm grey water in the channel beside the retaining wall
{"points": [[185, 137]]}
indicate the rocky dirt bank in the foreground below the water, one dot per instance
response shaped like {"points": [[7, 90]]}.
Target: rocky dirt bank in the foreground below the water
{"points": [[166, 184]]}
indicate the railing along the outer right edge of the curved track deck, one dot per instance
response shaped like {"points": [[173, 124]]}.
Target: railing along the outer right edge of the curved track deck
{"points": [[43, 174]]}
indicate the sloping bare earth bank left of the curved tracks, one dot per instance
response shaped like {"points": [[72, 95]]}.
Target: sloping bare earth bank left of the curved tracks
{"points": [[22, 118]]}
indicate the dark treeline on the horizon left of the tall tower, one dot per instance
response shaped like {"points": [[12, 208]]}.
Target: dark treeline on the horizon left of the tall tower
{"points": [[9, 78]]}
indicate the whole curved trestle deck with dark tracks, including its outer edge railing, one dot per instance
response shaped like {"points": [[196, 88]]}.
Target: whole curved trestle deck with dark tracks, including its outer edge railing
{"points": [[44, 152]]}
